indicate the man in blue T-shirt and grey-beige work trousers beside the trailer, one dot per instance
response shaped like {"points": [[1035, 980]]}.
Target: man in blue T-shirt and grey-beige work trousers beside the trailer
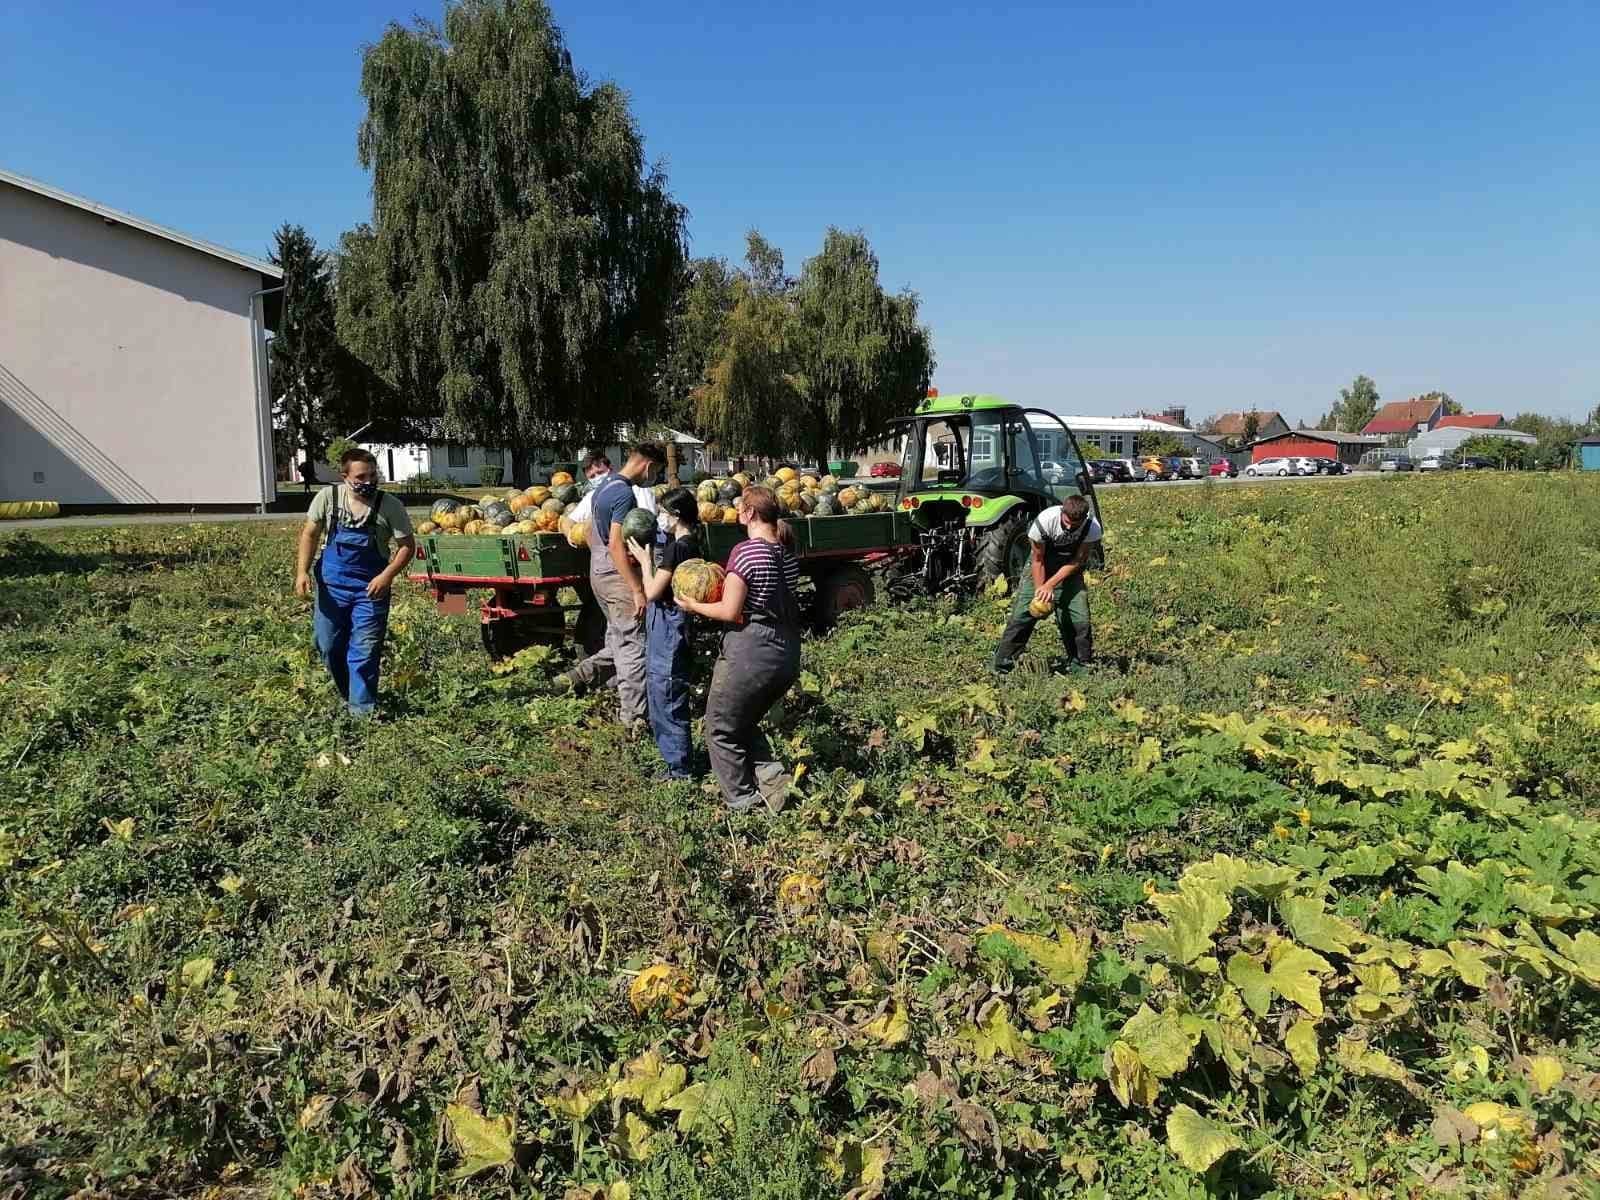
{"points": [[614, 575]]}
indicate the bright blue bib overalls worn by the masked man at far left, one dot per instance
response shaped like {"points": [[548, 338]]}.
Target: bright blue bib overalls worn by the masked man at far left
{"points": [[350, 625]]}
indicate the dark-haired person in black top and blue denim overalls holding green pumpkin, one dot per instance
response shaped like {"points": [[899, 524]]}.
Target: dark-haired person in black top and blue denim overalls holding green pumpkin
{"points": [[666, 631]]}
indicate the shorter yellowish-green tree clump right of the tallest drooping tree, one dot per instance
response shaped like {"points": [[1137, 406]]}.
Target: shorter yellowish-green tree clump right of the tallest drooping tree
{"points": [[807, 364]]}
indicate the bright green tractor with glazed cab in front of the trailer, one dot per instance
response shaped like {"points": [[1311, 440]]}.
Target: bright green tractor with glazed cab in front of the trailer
{"points": [[975, 473]]}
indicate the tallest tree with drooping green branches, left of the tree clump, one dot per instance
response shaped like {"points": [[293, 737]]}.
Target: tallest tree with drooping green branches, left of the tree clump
{"points": [[519, 270]]}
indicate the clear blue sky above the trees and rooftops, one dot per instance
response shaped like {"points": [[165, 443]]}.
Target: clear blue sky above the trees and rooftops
{"points": [[1102, 207]]}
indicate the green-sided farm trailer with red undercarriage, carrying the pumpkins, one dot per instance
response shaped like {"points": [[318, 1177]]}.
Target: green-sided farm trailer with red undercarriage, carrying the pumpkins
{"points": [[527, 574]]}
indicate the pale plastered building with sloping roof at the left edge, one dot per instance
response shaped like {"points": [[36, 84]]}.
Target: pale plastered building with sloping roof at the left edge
{"points": [[126, 366]]}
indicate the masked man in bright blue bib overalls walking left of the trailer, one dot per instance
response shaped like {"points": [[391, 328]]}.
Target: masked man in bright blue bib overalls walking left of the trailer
{"points": [[354, 575]]}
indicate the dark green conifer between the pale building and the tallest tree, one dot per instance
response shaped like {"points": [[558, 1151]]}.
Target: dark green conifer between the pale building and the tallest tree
{"points": [[319, 390]]}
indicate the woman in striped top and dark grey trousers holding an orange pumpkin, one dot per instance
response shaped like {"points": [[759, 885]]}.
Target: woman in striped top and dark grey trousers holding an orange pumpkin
{"points": [[761, 655]]}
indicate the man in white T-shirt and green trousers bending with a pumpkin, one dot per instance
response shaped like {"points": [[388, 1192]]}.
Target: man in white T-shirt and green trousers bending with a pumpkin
{"points": [[1063, 538]]}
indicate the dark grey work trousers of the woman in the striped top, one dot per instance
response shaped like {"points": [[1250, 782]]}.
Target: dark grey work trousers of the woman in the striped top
{"points": [[758, 666]]}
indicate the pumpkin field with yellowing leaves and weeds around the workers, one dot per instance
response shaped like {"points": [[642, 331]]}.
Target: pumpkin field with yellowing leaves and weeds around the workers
{"points": [[1292, 895]]}
